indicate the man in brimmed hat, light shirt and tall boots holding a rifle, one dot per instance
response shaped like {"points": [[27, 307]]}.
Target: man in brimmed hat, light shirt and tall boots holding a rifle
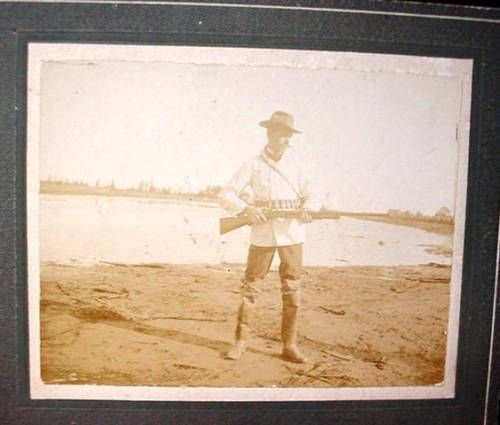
{"points": [[272, 180]]}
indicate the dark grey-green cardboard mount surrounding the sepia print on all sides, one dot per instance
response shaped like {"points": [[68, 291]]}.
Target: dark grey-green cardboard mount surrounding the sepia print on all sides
{"points": [[448, 411]]}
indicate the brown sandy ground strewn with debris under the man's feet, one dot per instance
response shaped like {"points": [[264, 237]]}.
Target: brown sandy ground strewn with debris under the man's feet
{"points": [[170, 325]]}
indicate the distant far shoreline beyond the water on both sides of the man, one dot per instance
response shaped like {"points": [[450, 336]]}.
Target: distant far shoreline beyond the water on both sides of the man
{"points": [[429, 224]]}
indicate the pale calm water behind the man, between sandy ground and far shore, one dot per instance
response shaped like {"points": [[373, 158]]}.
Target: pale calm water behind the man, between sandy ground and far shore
{"points": [[90, 229]]}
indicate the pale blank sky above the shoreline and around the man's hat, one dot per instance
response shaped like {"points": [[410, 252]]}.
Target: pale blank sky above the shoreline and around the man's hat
{"points": [[371, 140]]}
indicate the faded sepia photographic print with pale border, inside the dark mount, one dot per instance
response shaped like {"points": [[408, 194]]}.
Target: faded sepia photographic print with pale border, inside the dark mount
{"points": [[215, 223]]}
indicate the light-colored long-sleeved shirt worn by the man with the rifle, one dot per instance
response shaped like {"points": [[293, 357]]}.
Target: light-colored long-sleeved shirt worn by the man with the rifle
{"points": [[257, 181]]}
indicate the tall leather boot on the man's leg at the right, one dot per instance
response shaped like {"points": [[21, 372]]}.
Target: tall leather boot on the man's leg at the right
{"points": [[289, 325]]}
